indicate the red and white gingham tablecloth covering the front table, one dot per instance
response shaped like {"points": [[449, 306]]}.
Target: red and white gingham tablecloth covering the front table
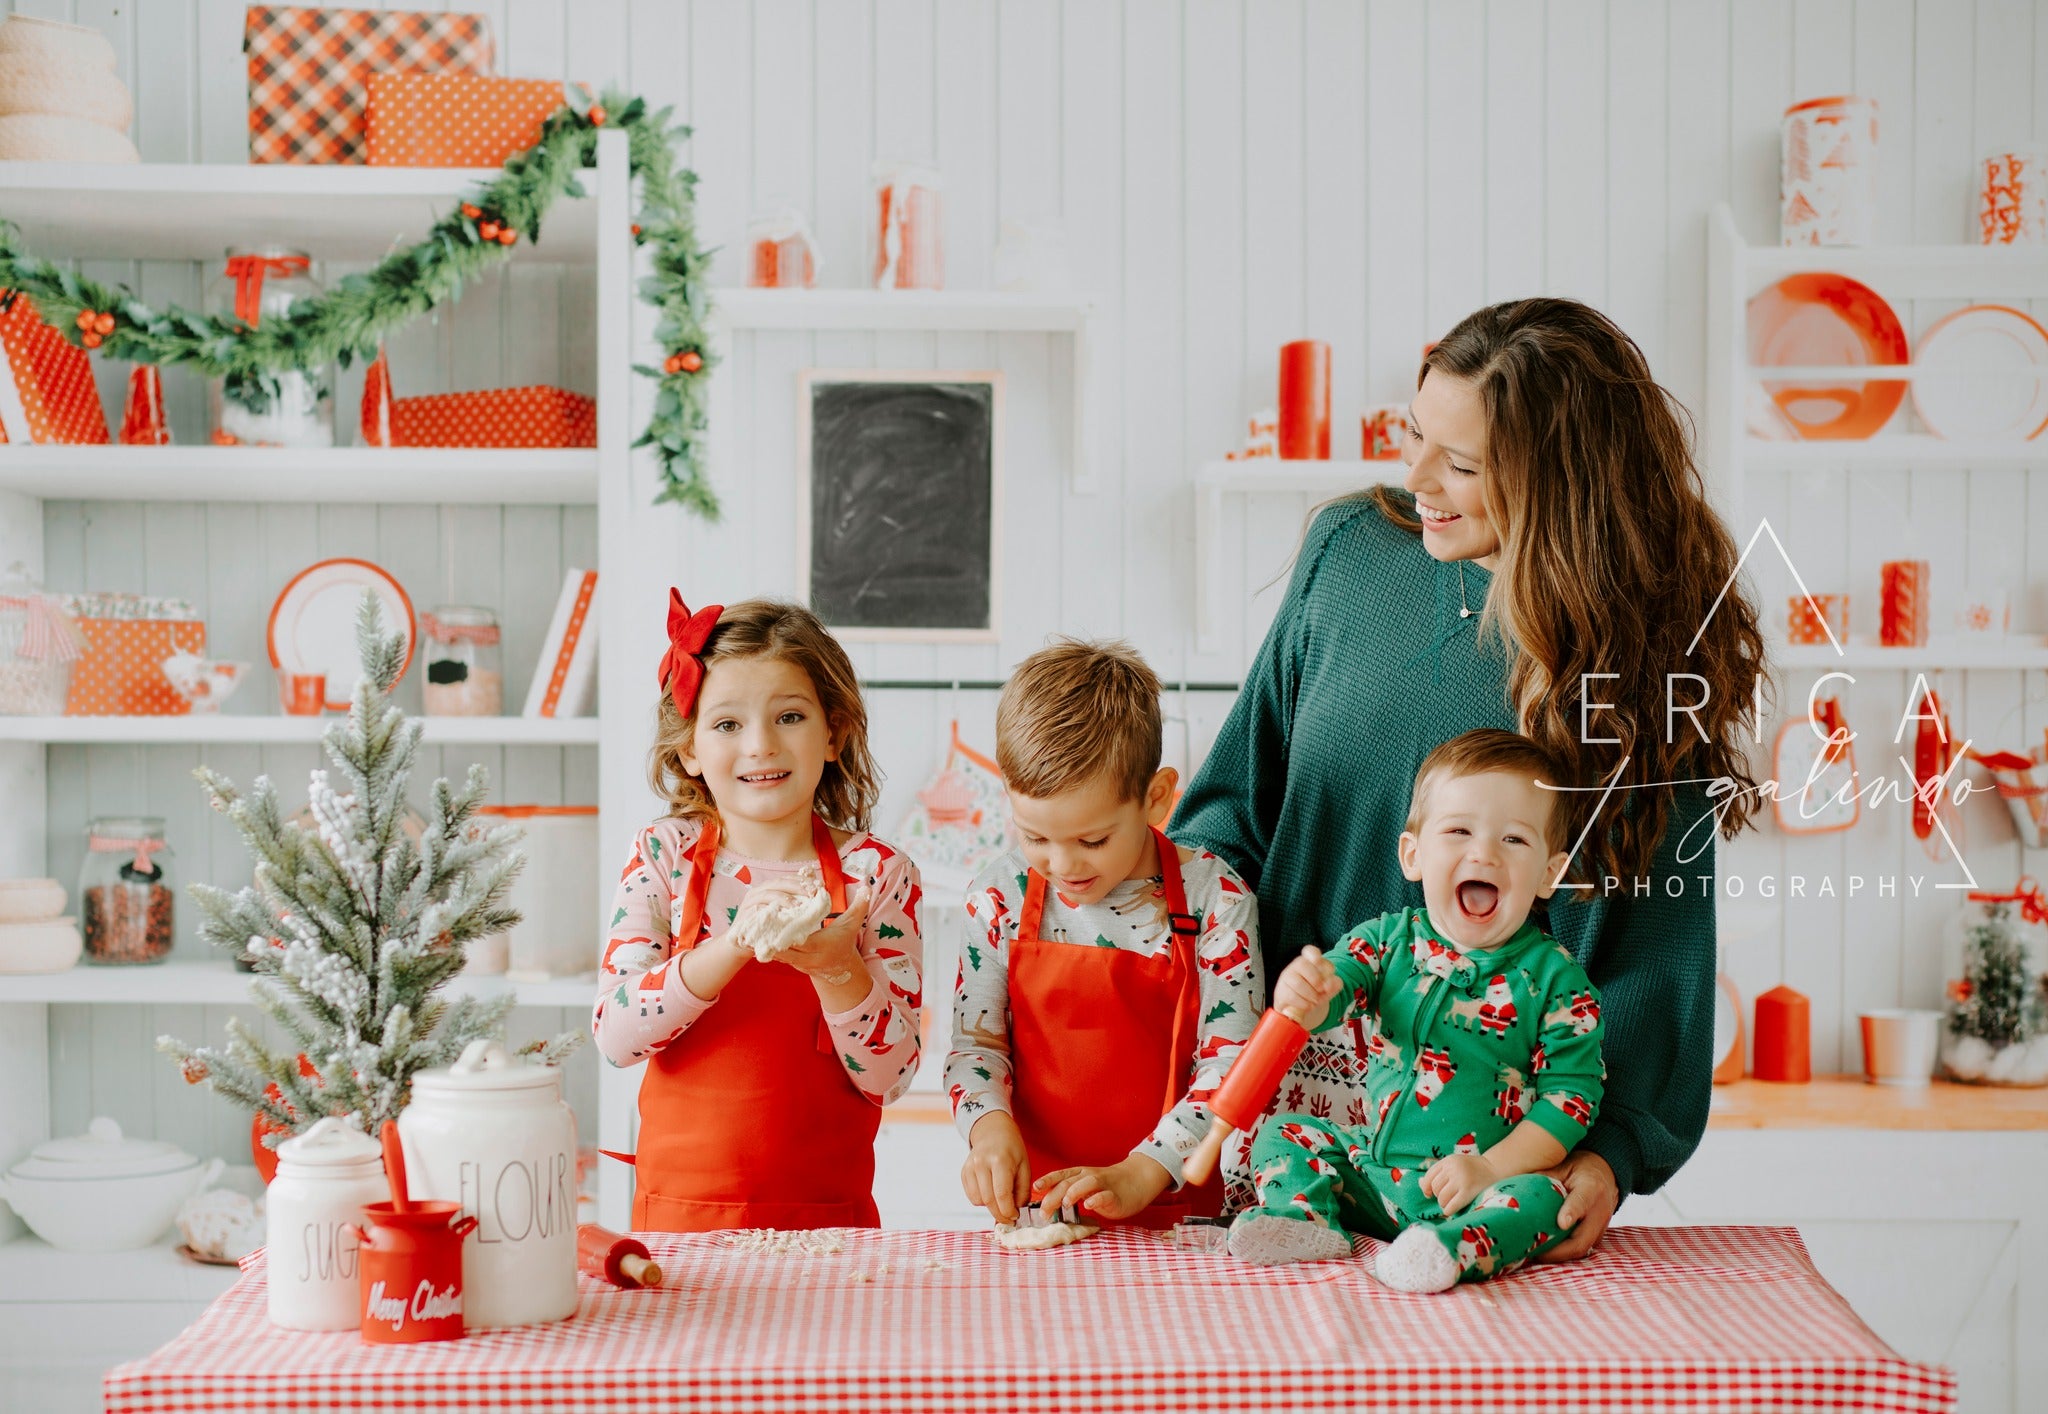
{"points": [[1660, 1319]]}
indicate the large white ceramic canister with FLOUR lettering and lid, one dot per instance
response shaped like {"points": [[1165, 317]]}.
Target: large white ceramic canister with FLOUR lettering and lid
{"points": [[495, 1134]]}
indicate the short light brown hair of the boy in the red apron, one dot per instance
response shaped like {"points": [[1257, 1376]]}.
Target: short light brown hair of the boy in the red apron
{"points": [[1074, 712]]}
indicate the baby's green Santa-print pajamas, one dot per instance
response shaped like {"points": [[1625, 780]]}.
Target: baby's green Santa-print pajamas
{"points": [[1465, 1048]]}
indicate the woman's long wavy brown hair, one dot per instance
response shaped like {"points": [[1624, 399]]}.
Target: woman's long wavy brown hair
{"points": [[1611, 563]]}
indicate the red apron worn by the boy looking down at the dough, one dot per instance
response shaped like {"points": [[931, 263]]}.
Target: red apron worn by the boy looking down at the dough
{"points": [[1086, 1024]]}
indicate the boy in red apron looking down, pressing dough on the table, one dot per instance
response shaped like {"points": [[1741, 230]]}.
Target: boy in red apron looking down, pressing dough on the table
{"points": [[1107, 979]]}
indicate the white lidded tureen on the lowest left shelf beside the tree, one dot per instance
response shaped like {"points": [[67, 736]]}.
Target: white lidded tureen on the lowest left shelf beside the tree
{"points": [[101, 1192]]}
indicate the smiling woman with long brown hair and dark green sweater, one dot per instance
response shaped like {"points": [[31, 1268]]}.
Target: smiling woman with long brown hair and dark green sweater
{"points": [[1553, 567]]}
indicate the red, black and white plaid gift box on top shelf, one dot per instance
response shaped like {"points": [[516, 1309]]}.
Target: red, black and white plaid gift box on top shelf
{"points": [[310, 73]]}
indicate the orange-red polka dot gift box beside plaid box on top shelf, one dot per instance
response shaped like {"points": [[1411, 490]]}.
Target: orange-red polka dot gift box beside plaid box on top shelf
{"points": [[456, 120]]}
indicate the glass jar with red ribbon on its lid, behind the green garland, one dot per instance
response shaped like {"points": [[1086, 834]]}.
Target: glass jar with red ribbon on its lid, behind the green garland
{"points": [[282, 407]]}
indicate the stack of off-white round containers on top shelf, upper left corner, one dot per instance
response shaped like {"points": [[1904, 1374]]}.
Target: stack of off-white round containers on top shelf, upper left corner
{"points": [[60, 97]]}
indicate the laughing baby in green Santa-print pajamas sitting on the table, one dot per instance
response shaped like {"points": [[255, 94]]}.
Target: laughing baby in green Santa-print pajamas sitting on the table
{"points": [[1486, 1056]]}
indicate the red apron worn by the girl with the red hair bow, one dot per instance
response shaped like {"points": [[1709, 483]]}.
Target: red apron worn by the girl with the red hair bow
{"points": [[749, 1118]]}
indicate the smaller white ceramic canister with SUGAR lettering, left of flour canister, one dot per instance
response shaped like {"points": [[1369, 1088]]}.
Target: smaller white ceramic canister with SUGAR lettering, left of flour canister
{"points": [[325, 1177]]}
